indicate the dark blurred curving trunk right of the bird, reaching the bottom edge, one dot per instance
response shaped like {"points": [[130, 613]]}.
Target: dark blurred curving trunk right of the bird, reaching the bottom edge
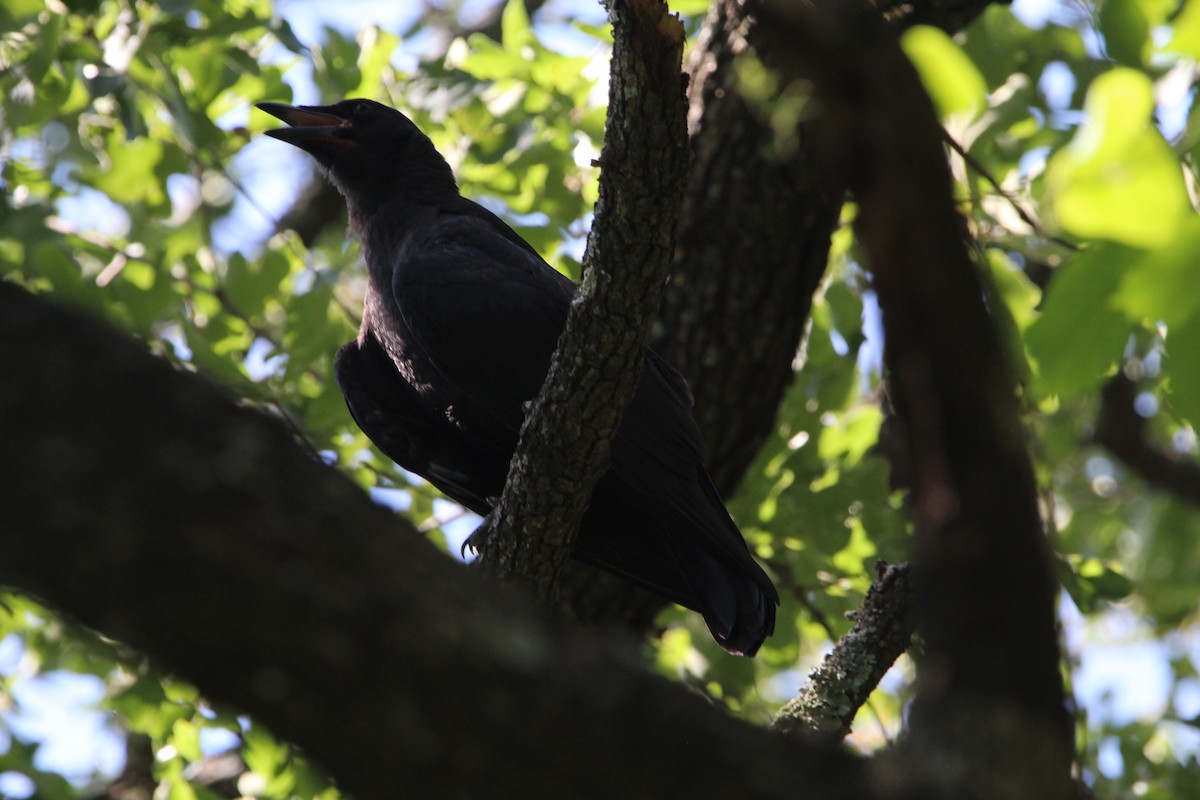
{"points": [[991, 711]]}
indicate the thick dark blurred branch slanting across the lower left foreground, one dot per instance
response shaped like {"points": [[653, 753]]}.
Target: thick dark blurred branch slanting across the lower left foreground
{"points": [[146, 504]]}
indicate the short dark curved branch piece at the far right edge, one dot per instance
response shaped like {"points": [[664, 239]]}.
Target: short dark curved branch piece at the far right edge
{"points": [[1123, 431]]}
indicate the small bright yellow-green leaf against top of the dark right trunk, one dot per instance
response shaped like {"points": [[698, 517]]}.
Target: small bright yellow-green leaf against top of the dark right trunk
{"points": [[949, 74]]}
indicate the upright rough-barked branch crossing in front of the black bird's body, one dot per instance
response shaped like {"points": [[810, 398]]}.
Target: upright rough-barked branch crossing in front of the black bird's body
{"points": [[565, 443]]}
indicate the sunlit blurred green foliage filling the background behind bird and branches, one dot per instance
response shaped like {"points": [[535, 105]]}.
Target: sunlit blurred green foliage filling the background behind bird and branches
{"points": [[131, 164]]}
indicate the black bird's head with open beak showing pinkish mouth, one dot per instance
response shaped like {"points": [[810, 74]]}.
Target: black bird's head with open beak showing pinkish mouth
{"points": [[371, 153]]}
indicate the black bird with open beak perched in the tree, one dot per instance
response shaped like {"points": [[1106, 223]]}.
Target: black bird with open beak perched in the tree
{"points": [[460, 323]]}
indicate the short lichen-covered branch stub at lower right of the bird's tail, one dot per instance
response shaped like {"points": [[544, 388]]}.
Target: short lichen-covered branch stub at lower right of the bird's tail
{"points": [[883, 631]]}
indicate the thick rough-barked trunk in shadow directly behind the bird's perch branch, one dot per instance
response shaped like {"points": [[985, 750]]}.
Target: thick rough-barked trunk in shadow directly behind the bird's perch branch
{"points": [[753, 245]]}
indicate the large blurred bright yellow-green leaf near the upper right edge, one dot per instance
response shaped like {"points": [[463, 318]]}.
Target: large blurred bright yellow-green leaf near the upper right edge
{"points": [[1119, 179]]}
